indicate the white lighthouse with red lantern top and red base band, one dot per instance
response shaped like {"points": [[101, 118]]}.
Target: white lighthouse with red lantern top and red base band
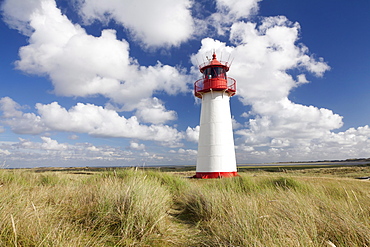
{"points": [[216, 152]]}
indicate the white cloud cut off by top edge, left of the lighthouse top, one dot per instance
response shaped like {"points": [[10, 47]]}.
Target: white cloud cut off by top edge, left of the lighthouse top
{"points": [[154, 23]]}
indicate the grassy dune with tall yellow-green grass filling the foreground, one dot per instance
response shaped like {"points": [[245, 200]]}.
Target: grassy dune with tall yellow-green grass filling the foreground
{"points": [[128, 207]]}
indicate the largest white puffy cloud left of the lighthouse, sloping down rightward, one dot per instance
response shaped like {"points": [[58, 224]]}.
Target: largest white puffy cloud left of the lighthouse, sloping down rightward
{"points": [[79, 64]]}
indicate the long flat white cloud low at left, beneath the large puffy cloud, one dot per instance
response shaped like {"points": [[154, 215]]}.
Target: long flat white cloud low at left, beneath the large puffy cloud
{"points": [[85, 118]]}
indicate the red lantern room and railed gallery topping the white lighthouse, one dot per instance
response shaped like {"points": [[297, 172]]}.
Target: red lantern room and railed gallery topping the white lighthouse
{"points": [[214, 78]]}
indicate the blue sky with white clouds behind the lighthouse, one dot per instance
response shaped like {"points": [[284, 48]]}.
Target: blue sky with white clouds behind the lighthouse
{"points": [[109, 83]]}
